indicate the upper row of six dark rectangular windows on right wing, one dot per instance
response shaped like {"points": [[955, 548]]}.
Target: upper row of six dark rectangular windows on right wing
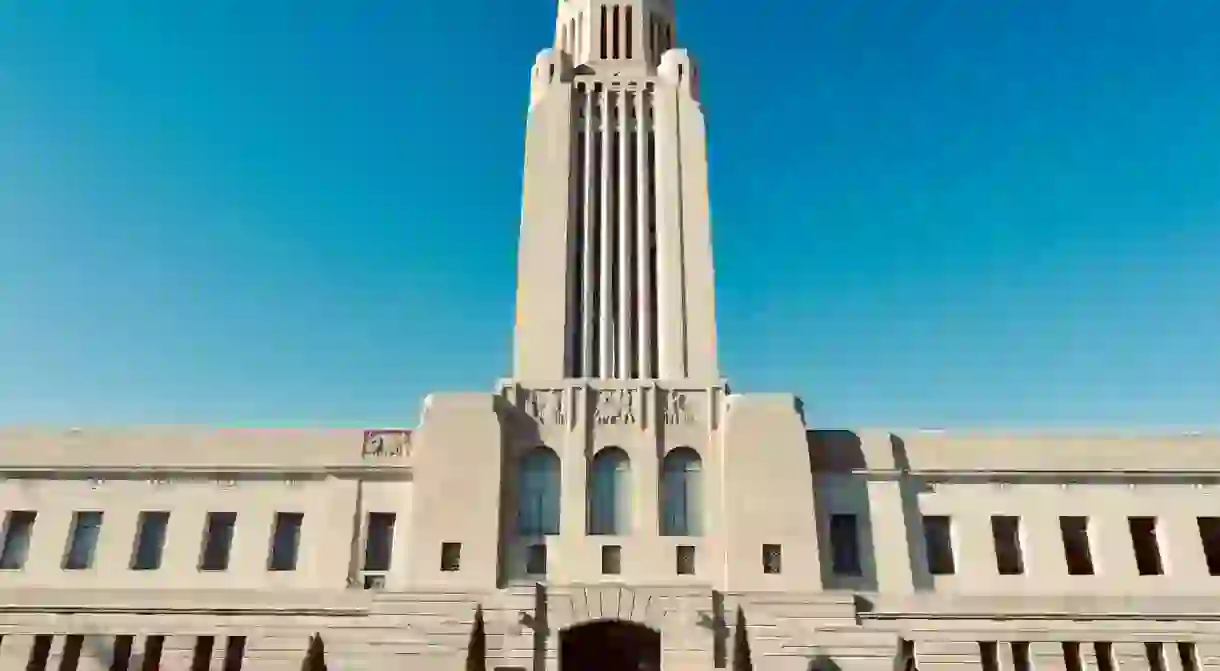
{"points": [[1007, 537]]}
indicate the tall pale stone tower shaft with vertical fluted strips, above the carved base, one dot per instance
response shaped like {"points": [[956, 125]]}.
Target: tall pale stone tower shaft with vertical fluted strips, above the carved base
{"points": [[615, 276]]}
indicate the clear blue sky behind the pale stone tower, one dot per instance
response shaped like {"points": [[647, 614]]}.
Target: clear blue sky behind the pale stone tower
{"points": [[927, 213]]}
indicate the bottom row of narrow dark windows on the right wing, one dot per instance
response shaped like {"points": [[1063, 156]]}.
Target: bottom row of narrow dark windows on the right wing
{"points": [[1077, 656]]}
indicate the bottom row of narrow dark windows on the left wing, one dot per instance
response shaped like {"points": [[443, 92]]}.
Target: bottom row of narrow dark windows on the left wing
{"points": [[123, 653]]}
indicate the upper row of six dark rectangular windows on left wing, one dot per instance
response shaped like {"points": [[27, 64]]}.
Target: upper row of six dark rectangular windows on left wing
{"points": [[217, 545]]}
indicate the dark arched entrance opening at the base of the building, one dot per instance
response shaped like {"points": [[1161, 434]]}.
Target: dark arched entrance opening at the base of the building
{"points": [[609, 646]]}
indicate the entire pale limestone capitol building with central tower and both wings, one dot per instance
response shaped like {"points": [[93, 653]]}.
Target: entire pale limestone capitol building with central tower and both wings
{"points": [[614, 506]]}
